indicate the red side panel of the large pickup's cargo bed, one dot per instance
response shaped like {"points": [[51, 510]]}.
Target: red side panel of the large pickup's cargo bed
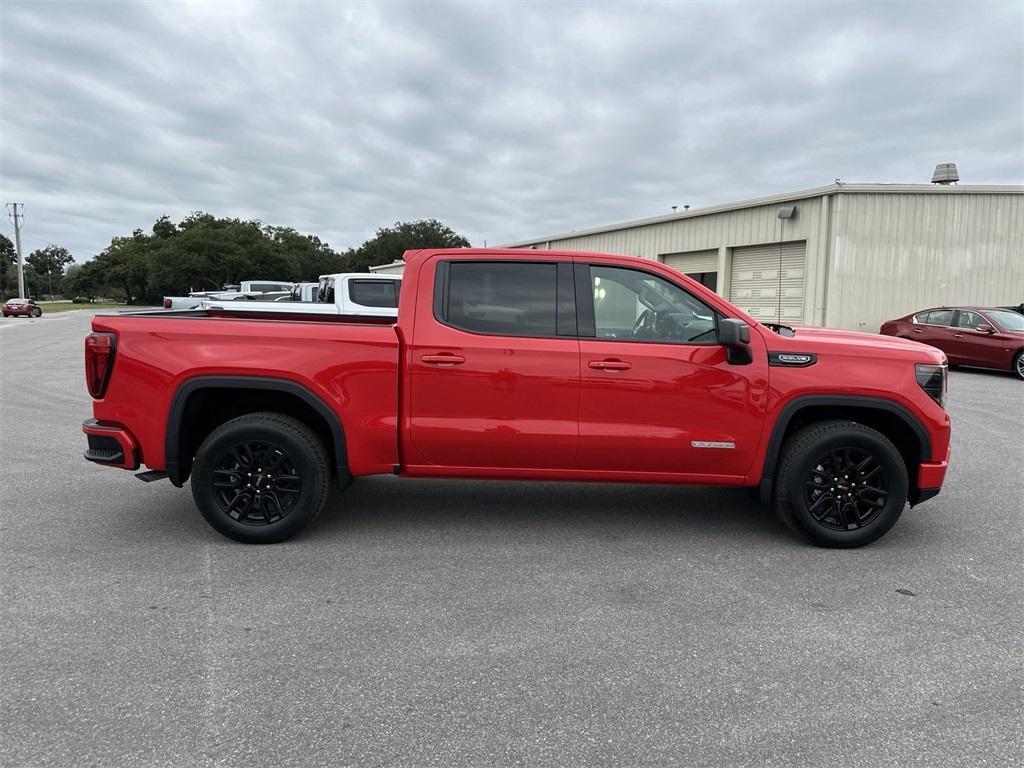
{"points": [[352, 367]]}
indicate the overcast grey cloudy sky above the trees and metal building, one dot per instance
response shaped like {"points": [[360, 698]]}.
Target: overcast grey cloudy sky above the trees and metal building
{"points": [[504, 120]]}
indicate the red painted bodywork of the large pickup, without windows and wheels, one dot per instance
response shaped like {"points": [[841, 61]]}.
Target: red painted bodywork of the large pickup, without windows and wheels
{"points": [[438, 401]]}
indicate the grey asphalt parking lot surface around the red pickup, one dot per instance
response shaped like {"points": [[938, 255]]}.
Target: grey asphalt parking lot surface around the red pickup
{"points": [[494, 624]]}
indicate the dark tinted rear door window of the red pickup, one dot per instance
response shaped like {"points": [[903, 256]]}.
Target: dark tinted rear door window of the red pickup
{"points": [[503, 298]]}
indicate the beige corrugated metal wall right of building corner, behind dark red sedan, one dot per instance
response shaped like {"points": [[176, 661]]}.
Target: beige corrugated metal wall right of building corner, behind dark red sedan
{"points": [[893, 254]]}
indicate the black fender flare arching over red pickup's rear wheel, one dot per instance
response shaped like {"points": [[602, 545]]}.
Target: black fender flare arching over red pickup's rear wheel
{"points": [[173, 436]]}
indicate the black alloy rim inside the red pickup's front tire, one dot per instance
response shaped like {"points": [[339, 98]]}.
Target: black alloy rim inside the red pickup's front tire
{"points": [[846, 490]]}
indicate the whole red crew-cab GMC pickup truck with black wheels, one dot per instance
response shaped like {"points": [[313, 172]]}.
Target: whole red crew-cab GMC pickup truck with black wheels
{"points": [[520, 365]]}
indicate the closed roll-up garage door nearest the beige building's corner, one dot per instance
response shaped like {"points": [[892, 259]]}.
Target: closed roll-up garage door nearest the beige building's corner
{"points": [[770, 279]]}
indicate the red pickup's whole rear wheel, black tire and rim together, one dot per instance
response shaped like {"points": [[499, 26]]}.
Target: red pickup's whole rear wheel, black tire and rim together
{"points": [[262, 509]]}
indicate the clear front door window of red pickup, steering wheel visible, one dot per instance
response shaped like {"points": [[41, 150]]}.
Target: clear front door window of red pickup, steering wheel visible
{"points": [[634, 306]]}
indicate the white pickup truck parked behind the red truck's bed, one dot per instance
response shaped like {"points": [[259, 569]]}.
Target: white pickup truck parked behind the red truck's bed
{"points": [[349, 294]]}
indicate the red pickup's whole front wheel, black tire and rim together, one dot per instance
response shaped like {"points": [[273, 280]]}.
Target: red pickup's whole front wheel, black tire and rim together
{"points": [[817, 497]]}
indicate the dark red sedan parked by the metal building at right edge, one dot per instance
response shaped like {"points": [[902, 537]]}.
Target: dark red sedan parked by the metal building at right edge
{"points": [[983, 337]]}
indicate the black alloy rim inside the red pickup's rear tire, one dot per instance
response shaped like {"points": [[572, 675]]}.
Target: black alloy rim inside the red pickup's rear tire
{"points": [[257, 483]]}
